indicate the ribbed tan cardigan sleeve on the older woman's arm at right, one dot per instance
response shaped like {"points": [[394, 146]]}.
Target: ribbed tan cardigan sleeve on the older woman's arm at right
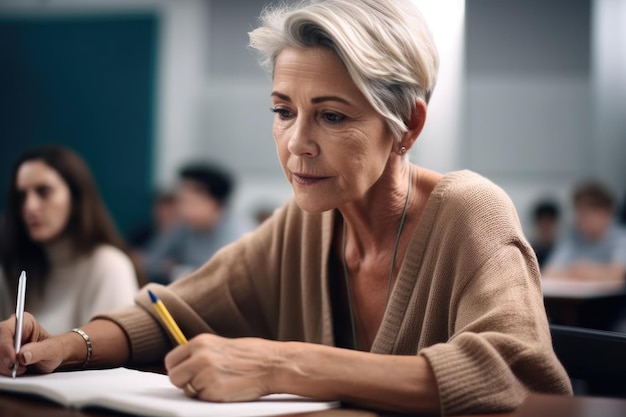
{"points": [[500, 349]]}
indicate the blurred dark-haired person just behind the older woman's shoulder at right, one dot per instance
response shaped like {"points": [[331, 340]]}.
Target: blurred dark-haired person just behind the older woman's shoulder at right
{"points": [[546, 215]]}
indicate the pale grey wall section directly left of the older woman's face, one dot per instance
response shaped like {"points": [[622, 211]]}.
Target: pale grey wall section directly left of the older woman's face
{"points": [[233, 122]]}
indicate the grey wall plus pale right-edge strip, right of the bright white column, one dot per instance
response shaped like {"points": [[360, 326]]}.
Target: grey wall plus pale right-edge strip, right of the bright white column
{"points": [[545, 96]]}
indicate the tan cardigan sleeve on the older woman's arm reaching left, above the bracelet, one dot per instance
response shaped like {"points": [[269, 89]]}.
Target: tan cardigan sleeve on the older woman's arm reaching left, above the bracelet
{"points": [[233, 294]]}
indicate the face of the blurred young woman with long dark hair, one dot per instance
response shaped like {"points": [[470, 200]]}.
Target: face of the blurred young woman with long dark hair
{"points": [[46, 201]]}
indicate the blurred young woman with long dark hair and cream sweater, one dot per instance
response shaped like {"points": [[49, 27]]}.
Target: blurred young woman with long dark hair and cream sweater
{"points": [[57, 229]]}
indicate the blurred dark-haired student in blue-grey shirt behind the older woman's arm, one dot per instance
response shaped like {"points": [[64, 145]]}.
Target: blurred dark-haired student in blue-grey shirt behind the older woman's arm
{"points": [[205, 224]]}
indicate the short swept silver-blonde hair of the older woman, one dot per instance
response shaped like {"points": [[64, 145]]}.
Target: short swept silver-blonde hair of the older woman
{"points": [[385, 45]]}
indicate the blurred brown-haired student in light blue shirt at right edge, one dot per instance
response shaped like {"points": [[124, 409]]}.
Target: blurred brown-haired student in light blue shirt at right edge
{"points": [[596, 248]]}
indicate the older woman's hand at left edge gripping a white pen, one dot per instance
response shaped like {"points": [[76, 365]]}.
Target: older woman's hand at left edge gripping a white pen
{"points": [[39, 351]]}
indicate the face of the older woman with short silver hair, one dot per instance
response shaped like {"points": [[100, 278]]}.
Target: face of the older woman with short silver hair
{"points": [[332, 144]]}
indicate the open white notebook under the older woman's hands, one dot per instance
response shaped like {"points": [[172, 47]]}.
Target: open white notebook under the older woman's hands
{"points": [[147, 393]]}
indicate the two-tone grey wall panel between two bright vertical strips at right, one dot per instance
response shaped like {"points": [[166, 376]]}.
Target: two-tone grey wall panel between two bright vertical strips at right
{"points": [[528, 108]]}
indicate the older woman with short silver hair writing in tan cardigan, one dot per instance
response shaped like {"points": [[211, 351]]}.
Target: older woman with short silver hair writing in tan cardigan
{"points": [[381, 283]]}
